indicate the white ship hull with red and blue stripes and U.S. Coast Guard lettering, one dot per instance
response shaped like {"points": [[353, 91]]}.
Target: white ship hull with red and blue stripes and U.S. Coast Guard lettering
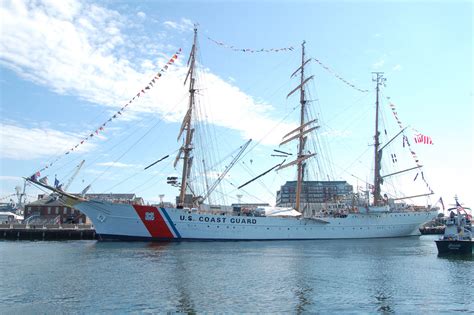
{"points": [[133, 222]]}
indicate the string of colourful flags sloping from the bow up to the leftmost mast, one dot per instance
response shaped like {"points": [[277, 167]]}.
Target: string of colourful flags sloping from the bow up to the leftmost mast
{"points": [[101, 128]]}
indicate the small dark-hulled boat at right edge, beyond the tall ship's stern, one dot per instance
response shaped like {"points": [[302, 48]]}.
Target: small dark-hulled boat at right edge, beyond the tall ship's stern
{"points": [[457, 238]]}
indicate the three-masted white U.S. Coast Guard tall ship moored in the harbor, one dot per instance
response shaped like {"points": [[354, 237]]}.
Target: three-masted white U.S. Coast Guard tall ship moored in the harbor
{"points": [[192, 219]]}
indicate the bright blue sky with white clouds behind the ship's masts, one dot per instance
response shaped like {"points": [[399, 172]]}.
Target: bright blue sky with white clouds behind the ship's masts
{"points": [[67, 66]]}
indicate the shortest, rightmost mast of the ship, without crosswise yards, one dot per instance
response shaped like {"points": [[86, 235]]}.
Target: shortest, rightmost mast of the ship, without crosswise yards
{"points": [[379, 79]]}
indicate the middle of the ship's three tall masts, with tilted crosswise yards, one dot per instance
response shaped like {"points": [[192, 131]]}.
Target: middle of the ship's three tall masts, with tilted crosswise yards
{"points": [[300, 132]]}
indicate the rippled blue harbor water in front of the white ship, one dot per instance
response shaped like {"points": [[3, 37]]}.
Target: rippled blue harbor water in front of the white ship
{"points": [[402, 275]]}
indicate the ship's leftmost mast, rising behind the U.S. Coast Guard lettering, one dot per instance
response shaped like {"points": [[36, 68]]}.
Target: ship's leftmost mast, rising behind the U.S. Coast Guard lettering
{"points": [[186, 125]]}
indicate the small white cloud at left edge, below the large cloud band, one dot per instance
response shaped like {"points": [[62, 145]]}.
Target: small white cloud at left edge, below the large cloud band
{"points": [[24, 144]]}
